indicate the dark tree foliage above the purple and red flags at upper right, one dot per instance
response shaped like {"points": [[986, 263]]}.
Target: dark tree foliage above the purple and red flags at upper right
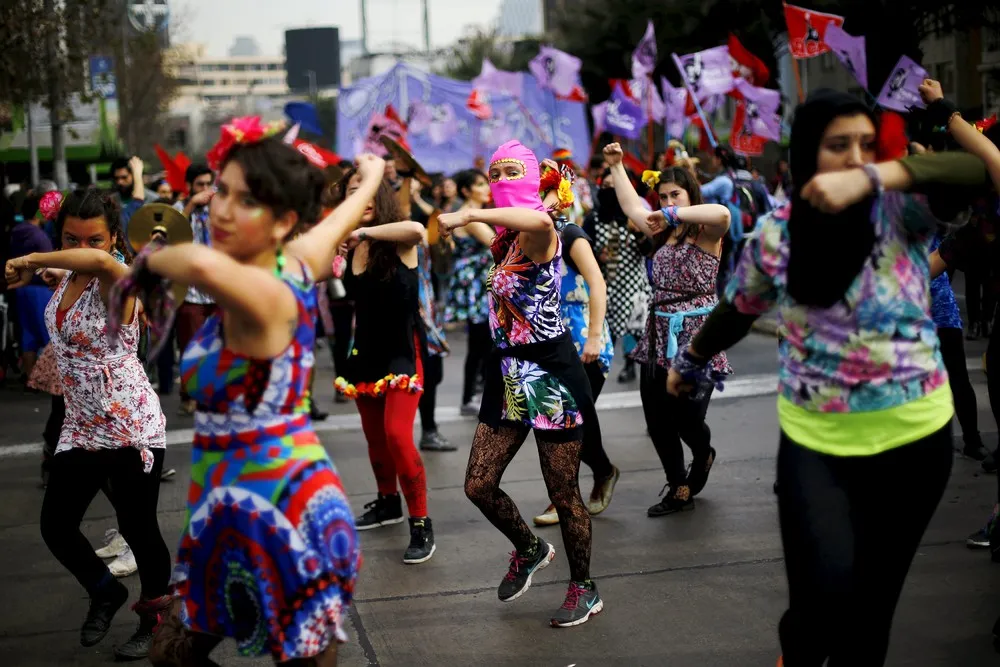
{"points": [[604, 34]]}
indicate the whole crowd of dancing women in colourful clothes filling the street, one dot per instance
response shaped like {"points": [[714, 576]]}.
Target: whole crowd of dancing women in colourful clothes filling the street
{"points": [[552, 270]]}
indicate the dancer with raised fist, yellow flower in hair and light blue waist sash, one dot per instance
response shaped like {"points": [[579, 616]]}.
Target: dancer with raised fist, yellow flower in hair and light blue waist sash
{"points": [[688, 235]]}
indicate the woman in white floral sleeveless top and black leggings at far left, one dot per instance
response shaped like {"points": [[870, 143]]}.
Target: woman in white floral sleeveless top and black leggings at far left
{"points": [[113, 429]]}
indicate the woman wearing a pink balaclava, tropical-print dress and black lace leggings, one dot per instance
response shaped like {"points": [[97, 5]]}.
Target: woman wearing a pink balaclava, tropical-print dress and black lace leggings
{"points": [[534, 381]]}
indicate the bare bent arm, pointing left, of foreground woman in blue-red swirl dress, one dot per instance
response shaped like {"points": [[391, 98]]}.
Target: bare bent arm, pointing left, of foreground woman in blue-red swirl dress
{"points": [[251, 293]]}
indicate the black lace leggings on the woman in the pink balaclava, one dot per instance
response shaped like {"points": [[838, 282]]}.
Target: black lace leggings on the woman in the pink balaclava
{"points": [[492, 452]]}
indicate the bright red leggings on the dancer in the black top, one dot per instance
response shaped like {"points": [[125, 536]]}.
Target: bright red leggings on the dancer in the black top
{"points": [[388, 425]]}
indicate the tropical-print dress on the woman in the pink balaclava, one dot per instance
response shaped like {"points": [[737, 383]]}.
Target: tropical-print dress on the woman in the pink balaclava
{"points": [[524, 309]]}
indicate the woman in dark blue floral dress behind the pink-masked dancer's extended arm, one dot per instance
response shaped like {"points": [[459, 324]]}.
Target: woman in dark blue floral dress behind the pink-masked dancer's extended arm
{"points": [[466, 296]]}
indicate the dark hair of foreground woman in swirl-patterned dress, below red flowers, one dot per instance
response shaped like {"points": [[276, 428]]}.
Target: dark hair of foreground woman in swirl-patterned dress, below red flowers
{"points": [[281, 178]]}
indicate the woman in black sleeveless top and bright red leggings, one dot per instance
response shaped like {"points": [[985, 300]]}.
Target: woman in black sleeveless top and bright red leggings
{"points": [[384, 369]]}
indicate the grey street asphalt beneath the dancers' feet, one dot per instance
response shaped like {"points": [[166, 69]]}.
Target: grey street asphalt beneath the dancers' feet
{"points": [[700, 589]]}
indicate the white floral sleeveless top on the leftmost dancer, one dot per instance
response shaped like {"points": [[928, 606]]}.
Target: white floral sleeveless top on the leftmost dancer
{"points": [[109, 401]]}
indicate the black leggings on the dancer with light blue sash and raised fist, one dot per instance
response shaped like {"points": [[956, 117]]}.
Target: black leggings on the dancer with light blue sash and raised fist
{"points": [[671, 420]]}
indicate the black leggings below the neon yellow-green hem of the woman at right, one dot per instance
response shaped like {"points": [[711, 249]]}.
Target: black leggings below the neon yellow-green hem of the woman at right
{"points": [[850, 526]]}
